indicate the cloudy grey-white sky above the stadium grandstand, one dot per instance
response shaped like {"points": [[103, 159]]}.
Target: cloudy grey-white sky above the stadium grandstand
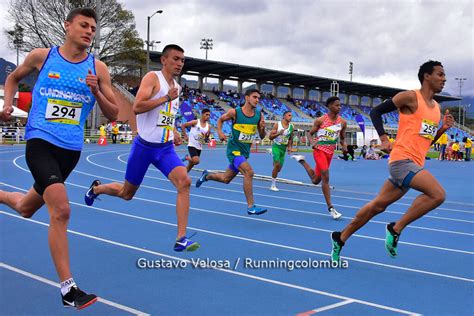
{"points": [[386, 40]]}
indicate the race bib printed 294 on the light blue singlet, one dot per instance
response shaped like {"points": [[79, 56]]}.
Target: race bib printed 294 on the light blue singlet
{"points": [[64, 112]]}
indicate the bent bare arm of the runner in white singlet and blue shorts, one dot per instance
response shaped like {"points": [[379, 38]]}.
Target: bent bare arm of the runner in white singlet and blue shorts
{"points": [[146, 92]]}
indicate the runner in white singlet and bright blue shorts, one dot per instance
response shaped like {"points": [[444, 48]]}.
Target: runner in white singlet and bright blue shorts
{"points": [[156, 106]]}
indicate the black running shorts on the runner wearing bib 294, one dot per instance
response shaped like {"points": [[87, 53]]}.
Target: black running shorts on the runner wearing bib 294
{"points": [[49, 163]]}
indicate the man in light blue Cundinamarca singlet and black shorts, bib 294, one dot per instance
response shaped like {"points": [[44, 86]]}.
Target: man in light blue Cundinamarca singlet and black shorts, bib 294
{"points": [[70, 81]]}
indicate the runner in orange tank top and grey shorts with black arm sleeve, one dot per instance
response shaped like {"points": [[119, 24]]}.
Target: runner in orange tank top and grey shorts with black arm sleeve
{"points": [[418, 128]]}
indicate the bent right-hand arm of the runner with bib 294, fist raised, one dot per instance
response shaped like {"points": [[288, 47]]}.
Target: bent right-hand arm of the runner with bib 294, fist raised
{"points": [[102, 90]]}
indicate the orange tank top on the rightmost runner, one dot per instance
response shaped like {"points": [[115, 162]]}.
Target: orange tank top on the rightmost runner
{"points": [[416, 131]]}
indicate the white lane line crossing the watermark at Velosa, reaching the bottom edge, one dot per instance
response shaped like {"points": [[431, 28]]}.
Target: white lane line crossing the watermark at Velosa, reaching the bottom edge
{"points": [[241, 274]]}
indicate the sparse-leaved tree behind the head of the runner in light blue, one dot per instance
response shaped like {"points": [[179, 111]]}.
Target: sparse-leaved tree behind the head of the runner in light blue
{"points": [[42, 23]]}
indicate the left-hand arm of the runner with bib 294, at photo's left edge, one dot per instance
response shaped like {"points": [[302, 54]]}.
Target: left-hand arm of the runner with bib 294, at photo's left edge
{"points": [[33, 61]]}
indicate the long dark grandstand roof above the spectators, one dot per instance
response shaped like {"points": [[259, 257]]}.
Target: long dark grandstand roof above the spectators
{"points": [[216, 69]]}
